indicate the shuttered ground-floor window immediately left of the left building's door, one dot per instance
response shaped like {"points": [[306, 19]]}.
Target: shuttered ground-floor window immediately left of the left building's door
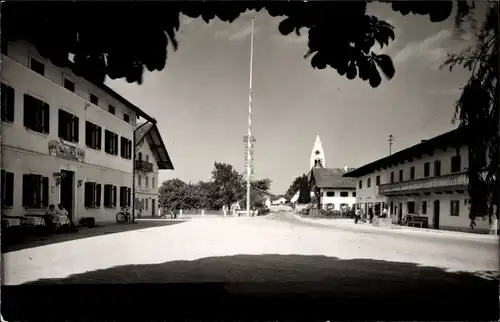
{"points": [[35, 191]]}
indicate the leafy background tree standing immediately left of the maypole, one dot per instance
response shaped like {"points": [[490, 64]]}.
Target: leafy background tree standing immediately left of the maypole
{"points": [[230, 184]]}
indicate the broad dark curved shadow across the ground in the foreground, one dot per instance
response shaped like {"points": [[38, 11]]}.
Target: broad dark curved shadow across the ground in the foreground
{"points": [[294, 285]]}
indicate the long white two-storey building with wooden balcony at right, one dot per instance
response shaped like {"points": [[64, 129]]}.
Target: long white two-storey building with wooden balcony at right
{"points": [[427, 181]]}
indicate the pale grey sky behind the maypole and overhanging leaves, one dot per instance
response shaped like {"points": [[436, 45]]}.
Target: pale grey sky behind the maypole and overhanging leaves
{"points": [[200, 99]]}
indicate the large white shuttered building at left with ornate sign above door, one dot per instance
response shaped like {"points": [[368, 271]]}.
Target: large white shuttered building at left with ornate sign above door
{"points": [[64, 139]]}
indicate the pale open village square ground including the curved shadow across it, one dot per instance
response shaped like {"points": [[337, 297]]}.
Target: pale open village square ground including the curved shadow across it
{"points": [[298, 257]]}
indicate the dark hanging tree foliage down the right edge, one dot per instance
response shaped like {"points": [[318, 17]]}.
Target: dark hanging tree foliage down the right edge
{"points": [[478, 112]]}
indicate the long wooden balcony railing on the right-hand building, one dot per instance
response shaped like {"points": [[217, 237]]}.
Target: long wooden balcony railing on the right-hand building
{"points": [[446, 181]]}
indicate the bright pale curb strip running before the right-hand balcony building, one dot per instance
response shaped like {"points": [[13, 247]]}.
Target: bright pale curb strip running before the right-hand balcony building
{"points": [[402, 230]]}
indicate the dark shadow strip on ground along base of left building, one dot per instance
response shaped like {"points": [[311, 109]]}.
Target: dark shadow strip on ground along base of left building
{"points": [[35, 241]]}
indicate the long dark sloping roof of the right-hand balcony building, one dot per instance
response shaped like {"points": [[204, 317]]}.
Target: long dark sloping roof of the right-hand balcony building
{"points": [[454, 138]]}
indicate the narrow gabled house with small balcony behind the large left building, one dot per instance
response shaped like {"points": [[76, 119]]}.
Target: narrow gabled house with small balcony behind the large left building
{"points": [[151, 156]]}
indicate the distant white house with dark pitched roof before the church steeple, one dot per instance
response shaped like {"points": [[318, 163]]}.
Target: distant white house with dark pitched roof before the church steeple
{"points": [[335, 192]]}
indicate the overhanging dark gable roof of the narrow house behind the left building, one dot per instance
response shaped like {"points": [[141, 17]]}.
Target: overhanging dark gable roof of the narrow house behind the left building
{"points": [[151, 133]]}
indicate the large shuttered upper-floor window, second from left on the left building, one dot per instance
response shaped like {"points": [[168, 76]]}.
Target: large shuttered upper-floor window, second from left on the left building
{"points": [[36, 114]]}
